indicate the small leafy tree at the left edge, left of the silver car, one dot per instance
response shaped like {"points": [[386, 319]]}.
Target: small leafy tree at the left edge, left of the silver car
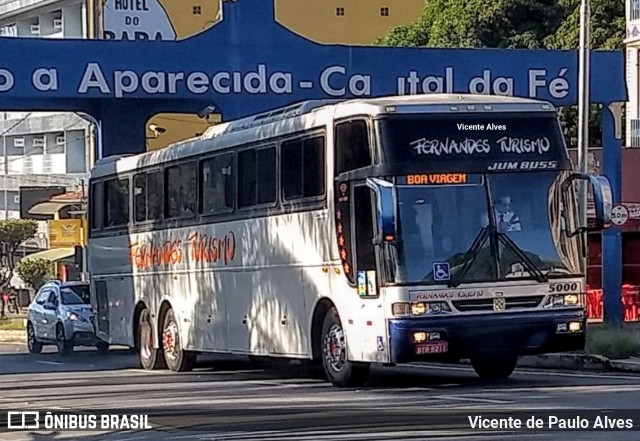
{"points": [[12, 233]]}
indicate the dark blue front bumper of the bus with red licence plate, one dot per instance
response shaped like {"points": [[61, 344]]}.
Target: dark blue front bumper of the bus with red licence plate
{"points": [[458, 337]]}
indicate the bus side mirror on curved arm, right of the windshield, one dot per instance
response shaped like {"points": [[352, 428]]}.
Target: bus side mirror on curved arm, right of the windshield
{"points": [[600, 188]]}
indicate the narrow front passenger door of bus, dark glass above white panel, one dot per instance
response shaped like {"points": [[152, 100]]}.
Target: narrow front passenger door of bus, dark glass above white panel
{"points": [[370, 330]]}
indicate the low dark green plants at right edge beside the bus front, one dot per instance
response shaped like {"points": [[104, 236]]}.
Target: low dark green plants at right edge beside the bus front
{"points": [[613, 343]]}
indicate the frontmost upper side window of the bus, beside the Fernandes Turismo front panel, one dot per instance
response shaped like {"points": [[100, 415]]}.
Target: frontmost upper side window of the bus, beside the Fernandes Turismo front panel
{"points": [[352, 149]]}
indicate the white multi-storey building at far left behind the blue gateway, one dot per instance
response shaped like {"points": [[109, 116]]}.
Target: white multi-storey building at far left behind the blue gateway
{"points": [[39, 149]]}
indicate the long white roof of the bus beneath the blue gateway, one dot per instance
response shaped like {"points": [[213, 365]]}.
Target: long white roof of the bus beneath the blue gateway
{"points": [[306, 115]]}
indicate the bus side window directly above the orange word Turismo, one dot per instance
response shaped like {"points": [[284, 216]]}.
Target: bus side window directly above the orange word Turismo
{"points": [[217, 184]]}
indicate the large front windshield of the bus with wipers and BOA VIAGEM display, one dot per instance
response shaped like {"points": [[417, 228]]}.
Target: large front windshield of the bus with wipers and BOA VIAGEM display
{"points": [[490, 227]]}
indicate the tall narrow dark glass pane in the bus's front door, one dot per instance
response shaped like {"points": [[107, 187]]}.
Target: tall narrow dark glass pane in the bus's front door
{"points": [[363, 215]]}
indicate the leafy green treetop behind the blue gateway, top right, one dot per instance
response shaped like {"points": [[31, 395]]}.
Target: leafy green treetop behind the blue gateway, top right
{"points": [[532, 24]]}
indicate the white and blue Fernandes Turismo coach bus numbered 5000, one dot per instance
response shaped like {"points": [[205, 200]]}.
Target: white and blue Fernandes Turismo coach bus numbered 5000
{"points": [[388, 230]]}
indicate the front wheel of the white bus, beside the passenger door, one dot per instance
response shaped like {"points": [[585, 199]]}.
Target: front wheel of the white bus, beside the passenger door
{"points": [[339, 370]]}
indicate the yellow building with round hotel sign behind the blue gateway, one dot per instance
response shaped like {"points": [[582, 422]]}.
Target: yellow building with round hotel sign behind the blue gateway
{"points": [[354, 22]]}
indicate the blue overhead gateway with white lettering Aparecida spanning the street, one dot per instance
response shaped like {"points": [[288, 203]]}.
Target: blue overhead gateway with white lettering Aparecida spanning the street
{"points": [[246, 63]]}
